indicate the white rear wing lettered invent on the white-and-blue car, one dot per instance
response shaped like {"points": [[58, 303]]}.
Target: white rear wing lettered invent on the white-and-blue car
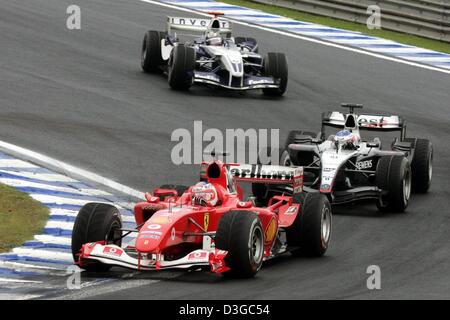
{"points": [[195, 26]]}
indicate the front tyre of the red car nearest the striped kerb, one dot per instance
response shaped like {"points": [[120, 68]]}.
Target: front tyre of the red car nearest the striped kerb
{"points": [[96, 222]]}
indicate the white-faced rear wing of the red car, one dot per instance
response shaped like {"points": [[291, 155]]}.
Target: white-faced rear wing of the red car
{"points": [[269, 174]]}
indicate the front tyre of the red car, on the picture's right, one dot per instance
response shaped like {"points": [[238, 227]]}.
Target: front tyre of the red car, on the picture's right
{"points": [[241, 234]]}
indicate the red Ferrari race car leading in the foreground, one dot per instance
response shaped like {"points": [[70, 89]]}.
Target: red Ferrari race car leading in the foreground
{"points": [[207, 225]]}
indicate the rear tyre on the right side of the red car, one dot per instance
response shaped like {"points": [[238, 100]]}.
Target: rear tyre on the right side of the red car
{"points": [[310, 233]]}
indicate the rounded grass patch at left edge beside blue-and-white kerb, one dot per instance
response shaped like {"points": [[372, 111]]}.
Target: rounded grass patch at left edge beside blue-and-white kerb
{"points": [[21, 217]]}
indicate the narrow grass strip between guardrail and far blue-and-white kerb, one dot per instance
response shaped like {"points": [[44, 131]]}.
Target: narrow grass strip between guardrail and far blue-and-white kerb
{"points": [[346, 25]]}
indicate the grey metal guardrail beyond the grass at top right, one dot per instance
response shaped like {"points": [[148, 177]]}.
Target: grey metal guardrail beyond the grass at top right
{"points": [[426, 18]]}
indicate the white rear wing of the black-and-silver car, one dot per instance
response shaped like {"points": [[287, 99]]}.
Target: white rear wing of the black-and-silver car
{"points": [[369, 122]]}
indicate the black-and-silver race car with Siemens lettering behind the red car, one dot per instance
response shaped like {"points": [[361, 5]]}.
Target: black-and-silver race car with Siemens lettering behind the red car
{"points": [[348, 167]]}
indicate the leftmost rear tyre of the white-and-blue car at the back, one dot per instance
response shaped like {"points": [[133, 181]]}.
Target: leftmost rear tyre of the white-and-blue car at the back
{"points": [[151, 58]]}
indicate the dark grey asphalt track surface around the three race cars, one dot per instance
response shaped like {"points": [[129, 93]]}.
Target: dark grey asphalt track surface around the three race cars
{"points": [[80, 96]]}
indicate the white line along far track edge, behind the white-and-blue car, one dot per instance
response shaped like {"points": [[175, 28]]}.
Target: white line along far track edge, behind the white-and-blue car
{"points": [[325, 43]]}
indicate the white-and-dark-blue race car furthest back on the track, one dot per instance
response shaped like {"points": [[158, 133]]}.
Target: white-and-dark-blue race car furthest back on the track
{"points": [[211, 56]]}
